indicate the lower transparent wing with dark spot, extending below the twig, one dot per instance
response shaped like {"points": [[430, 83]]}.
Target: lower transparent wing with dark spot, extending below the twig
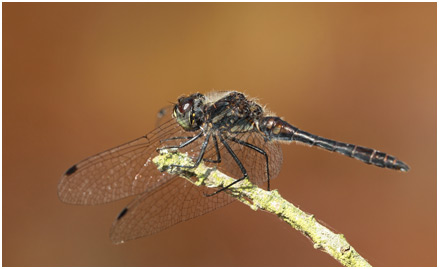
{"points": [[176, 201]]}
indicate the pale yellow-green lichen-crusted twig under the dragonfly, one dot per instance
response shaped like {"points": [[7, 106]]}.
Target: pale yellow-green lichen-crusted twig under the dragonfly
{"points": [[324, 239]]}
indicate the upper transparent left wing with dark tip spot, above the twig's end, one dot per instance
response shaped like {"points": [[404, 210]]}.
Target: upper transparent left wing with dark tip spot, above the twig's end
{"points": [[120, 172]]}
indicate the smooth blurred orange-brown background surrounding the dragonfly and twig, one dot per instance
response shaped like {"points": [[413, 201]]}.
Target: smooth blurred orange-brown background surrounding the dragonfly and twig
{"points": [[80, 78]]}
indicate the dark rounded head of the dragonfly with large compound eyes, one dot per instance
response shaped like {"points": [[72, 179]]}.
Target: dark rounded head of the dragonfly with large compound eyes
{"points": [[189, 111]]}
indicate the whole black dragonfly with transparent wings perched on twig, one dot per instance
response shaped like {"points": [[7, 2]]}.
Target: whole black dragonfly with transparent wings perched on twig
{"points": [[226, 130]]}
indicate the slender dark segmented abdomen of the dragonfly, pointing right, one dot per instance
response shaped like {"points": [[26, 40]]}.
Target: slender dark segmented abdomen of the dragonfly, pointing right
{"points": [[277, 129]]}
